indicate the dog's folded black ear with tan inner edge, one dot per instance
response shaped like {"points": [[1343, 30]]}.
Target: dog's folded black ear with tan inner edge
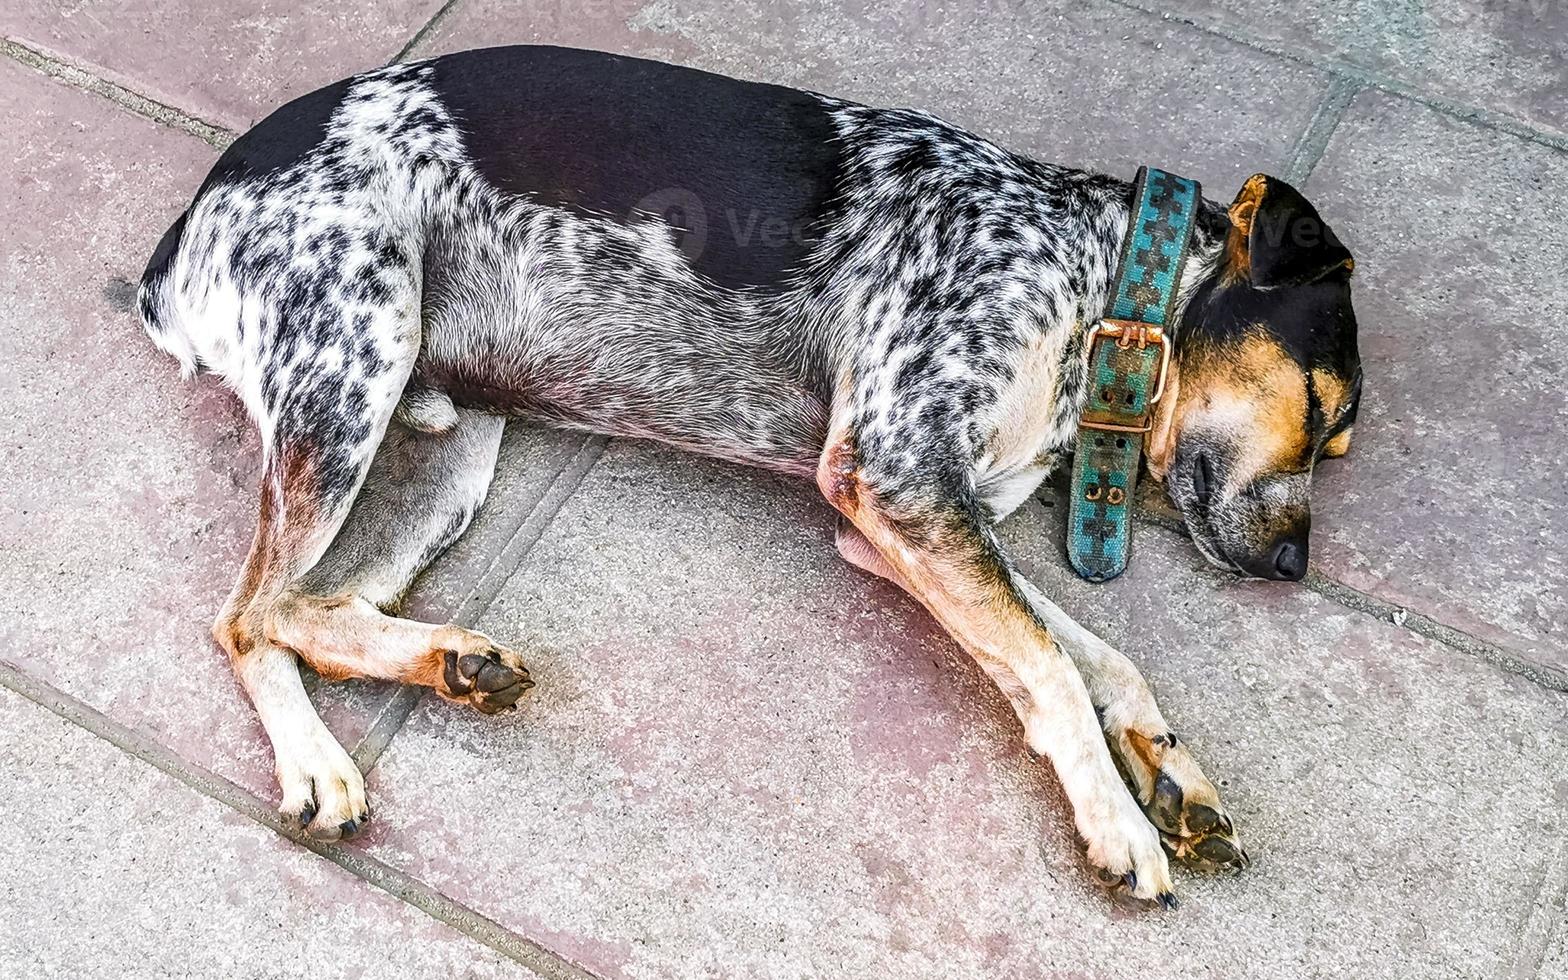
{"points": [[1279, 239]]}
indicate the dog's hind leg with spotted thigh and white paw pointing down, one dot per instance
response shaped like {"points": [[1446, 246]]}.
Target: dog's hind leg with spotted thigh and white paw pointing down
{"points": [[322, 419]]}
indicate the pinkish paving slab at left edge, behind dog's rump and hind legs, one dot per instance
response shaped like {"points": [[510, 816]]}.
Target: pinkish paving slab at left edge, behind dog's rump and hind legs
{"points": [[129, 495]]}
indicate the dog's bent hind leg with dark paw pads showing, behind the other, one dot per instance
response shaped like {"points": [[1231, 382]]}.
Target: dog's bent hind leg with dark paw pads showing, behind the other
{"points": [[421, 495]]}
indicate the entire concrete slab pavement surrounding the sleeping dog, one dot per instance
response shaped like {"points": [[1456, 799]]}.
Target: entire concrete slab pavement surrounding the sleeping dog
{"points": [[744, 758]]}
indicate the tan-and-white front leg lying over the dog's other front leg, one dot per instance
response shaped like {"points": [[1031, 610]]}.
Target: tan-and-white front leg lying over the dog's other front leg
{"points": [[946, 556]]}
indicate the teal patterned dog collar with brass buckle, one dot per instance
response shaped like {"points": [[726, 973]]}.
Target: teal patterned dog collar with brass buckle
{"points": [[1130, 357]]}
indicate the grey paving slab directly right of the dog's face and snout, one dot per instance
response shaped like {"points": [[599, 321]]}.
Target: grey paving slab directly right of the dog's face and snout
{"points": [[1451, 501]]}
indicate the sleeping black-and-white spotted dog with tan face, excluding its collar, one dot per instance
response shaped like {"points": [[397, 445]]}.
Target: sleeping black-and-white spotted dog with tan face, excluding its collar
{"points": [[387, 269]]}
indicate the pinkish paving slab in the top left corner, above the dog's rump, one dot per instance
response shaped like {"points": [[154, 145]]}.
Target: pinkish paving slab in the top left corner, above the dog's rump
{"points": [[228, 62]]}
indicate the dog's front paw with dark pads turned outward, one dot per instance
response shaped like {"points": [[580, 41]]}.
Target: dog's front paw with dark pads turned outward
{"points": [[1186, 808]]}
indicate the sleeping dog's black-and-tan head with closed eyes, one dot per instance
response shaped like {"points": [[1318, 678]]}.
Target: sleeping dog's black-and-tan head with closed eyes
{"points": [[1265, 383]]}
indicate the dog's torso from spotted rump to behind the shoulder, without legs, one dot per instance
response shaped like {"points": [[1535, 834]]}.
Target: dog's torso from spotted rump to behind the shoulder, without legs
{"points": [[573, 227]]}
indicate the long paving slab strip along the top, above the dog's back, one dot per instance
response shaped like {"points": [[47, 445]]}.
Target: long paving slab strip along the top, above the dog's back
{"points": [[1087, 85]]}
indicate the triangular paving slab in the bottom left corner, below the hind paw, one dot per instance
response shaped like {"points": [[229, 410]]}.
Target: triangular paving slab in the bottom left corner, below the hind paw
{"points": [[115, 871]]}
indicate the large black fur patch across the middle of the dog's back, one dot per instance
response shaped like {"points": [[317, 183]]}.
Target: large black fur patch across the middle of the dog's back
{"points": [[746, 169]]}
